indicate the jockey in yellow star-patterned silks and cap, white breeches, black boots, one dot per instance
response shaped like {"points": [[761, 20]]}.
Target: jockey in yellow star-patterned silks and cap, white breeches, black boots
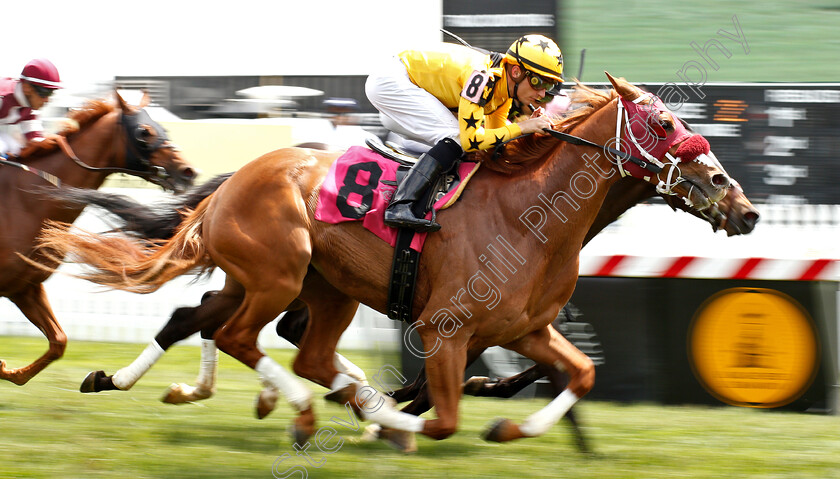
{"points": [[457, 99]]}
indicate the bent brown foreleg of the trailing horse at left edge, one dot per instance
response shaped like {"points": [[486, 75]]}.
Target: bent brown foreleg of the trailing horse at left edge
{"points": [[33, 303]]}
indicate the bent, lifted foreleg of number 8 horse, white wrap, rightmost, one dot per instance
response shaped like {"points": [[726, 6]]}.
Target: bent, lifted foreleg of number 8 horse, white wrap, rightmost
{"points": [[549, 347]]}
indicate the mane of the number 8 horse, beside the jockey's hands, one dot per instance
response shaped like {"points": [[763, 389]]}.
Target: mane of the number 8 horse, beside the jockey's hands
{"points": [[523, 150]]}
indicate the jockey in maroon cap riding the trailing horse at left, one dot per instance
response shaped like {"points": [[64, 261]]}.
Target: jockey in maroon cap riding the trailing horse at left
{"points": [[21, 98]]}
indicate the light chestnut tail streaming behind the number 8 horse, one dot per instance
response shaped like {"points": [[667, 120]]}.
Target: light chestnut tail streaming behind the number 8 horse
{"points": [[131, 264]]}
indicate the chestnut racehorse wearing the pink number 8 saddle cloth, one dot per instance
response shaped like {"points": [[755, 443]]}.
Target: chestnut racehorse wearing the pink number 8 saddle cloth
{"points": [[331, 268]]}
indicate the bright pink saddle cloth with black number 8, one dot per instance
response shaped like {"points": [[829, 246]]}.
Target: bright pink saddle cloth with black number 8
{"points": [[360, 185]]}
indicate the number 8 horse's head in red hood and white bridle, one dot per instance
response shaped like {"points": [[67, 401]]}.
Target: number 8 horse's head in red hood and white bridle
{"points": [[653, 133]]}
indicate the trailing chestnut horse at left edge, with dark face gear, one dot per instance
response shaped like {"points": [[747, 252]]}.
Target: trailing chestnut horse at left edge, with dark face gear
{"points": [[104, 137]]}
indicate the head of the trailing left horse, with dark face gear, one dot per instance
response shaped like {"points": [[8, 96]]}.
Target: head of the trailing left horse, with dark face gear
{"points": [[149, 152]]}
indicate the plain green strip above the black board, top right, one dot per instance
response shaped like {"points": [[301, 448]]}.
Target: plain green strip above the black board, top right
{"points": [[649, 41]]}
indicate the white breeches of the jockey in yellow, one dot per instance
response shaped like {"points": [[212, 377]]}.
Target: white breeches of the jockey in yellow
{"points": [[407, 109]]}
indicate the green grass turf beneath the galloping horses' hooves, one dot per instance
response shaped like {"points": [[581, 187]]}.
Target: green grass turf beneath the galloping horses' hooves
{"points": [[49, 429]]}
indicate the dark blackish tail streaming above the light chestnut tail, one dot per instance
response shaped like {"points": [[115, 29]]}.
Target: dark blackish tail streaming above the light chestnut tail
{"points": [[157, 221]]}
